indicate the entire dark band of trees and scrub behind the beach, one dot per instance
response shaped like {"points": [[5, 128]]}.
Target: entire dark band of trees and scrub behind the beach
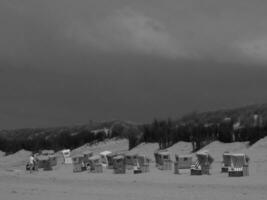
{"points": [[242, 124]]}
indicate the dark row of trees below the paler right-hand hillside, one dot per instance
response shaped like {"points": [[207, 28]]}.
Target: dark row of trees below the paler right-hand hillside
{"points": [[169, 132]]}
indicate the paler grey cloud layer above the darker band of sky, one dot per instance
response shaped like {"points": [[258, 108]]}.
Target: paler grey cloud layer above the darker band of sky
{"points": [[208, 30]]}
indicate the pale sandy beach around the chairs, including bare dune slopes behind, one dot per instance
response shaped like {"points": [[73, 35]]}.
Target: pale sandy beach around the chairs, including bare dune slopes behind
{"points": [[62, 183]]}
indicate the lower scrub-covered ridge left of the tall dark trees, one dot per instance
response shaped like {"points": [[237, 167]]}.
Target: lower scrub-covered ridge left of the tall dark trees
{"points": [[35, 139]]}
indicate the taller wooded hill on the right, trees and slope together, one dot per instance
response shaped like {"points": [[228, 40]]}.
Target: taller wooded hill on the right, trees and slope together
{"points": [[241, 124]]}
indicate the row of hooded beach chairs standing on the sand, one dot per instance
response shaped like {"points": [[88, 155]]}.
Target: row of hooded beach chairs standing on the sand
{"points": [[235, 164]]}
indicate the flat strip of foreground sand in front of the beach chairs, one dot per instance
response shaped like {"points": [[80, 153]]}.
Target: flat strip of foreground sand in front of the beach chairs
{"points": [[156, 185]]}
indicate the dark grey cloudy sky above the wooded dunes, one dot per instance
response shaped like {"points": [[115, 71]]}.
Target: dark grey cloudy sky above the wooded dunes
{"points": [[66, 62]]}
